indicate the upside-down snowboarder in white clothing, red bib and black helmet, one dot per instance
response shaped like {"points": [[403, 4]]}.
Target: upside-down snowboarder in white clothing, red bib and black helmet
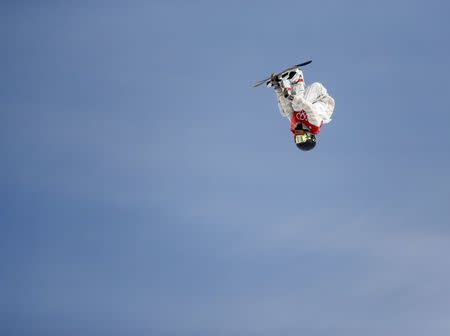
{"points": [[307, 107]]}
